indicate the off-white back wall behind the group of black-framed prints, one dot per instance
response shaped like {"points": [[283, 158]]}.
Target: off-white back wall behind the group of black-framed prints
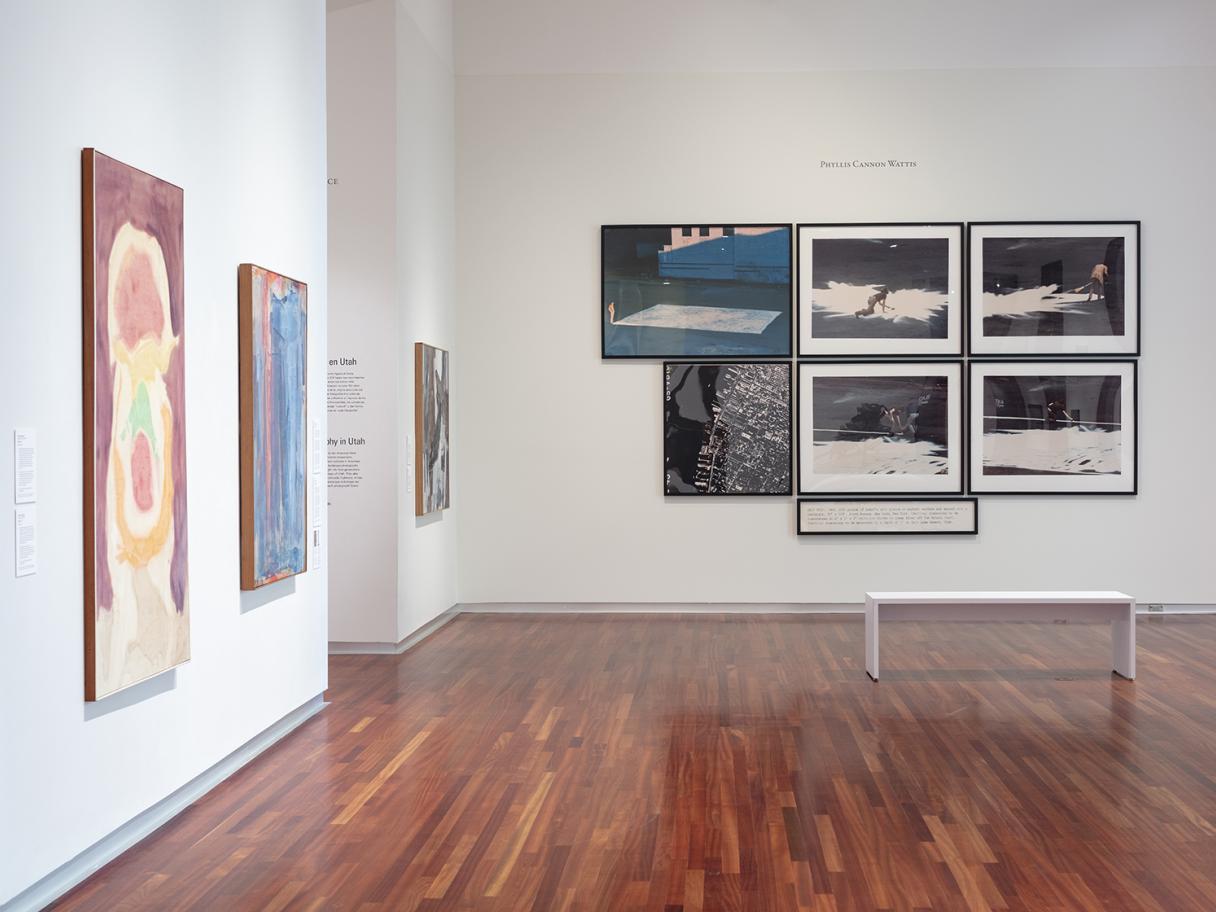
{"points": [[562, 453]]}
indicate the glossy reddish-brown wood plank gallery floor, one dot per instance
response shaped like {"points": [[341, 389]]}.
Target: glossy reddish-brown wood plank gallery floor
{"points": [[680, 763]]}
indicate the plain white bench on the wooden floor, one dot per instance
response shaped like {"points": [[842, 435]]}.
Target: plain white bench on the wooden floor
{"points": [[1114, 607]]}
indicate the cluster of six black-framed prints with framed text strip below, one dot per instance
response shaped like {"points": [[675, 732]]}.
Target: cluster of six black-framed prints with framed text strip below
{"points": [[893, 425]]}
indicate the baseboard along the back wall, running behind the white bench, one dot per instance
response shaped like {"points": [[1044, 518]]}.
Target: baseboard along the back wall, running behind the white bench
{"points": [[729, 609]]}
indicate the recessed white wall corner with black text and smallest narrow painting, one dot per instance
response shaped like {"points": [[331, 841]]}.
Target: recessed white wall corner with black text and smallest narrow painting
{"points": [[392, 250]]}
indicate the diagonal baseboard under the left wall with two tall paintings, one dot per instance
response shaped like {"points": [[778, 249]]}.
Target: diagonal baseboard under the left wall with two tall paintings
{"points": [[64, 879]]}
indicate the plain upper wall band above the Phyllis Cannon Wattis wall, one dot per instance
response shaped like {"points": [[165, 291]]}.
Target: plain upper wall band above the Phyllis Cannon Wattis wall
{"points": [[543, 37]]}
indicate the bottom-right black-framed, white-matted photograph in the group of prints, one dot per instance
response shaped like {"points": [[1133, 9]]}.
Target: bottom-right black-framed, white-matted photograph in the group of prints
{"points": [[1054, 427]]}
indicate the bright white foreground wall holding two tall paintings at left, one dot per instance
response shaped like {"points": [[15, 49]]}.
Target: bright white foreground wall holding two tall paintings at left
{"points": [[226, 99]]}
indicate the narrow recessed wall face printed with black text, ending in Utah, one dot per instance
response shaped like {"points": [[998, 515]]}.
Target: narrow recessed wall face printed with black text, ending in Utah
{"points": [[362, 57]]}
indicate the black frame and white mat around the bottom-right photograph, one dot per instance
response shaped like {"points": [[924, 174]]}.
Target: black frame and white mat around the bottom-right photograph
{"points": [[1054, 485]]}
